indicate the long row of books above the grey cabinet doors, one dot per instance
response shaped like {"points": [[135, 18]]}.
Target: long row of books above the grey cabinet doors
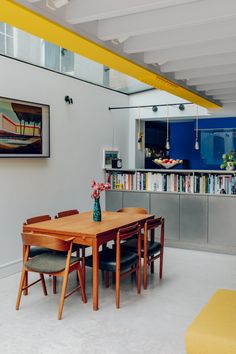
{"points": [[173, 182]]}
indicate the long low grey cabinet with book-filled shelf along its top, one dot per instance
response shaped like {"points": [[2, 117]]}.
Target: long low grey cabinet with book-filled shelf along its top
{"points": [[198, 217]]}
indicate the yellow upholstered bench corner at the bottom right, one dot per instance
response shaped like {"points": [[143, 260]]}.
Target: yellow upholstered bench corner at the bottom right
{"points": [[213, 331]]}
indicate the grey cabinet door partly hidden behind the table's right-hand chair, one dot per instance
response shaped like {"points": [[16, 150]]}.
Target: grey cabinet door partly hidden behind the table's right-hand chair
{"points": [[167, 205]]}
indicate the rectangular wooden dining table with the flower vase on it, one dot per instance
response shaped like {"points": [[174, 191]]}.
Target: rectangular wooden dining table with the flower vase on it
{"points": [[88, 233]]}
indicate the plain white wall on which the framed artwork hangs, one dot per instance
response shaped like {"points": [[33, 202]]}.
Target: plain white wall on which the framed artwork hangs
{"points": [[78, 134]]}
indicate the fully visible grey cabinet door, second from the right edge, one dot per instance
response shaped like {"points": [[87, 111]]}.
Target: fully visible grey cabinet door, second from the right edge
{"points": [[193, 218]]}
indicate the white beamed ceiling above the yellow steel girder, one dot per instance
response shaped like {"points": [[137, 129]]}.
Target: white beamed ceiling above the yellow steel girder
{"points": [[190, 41]]}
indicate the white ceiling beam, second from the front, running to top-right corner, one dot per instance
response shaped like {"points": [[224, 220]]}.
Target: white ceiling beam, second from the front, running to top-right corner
{"points": [[187, 14]]}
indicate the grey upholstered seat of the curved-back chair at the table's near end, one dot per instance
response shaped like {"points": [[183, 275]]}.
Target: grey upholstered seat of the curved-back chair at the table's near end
{"points": [[48, 263]]}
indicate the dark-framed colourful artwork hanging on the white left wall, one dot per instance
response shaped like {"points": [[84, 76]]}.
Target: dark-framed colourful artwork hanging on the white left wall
{"points": [[24, 129]]}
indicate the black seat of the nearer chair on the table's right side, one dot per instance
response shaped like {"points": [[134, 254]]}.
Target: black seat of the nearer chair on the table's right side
{"points": [[107, 260]]}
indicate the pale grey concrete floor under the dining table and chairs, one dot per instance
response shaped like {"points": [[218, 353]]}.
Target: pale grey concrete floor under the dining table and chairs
{"points": [[153, 322]]}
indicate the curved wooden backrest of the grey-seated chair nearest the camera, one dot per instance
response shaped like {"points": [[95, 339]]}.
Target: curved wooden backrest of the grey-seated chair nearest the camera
{"points": [[46, 241]]}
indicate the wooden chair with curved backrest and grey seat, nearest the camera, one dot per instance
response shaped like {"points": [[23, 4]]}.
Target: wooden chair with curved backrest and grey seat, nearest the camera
{"points": [[56, 264]]}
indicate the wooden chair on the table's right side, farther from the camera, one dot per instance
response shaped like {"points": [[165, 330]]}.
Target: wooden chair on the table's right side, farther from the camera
{"points": [[151, 250]]}
